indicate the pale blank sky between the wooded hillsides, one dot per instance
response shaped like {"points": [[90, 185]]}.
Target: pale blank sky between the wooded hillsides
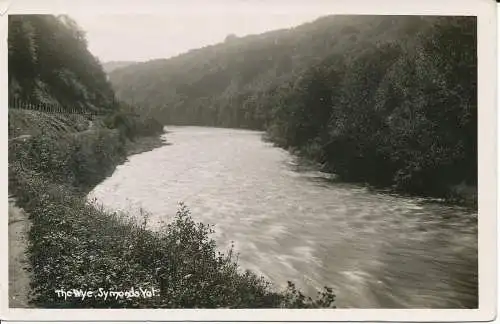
{"points": [[141, 37]]}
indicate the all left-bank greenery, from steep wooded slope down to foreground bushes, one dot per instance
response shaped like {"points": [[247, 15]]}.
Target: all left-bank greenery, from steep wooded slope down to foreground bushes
{"points": [[55, 159]]}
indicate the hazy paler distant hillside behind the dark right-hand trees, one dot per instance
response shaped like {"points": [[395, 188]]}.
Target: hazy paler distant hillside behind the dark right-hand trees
{"points": [[216, 85]]}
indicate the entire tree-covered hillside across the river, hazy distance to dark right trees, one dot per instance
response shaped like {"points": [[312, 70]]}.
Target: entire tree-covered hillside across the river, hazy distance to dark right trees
{"points": [[390, 100]]}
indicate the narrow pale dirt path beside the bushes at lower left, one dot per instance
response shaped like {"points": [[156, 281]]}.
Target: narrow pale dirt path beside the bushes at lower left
{"points": [[19, 277]]}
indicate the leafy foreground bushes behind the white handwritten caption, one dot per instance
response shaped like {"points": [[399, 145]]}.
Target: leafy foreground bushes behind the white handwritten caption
{"points": [[76, 245]]}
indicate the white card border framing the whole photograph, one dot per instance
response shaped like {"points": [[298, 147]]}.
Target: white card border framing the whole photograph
{"points": [[485, 10]]}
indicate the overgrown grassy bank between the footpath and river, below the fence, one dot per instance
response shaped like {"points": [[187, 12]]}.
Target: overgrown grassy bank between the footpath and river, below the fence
{"points": [[75, 245]]}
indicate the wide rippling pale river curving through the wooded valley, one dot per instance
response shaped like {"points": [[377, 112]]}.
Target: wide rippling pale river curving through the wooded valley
{"points": [[292, 223]]}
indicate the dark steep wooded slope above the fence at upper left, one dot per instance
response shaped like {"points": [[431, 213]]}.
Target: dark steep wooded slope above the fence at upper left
{"points": [[50, 64]]}
